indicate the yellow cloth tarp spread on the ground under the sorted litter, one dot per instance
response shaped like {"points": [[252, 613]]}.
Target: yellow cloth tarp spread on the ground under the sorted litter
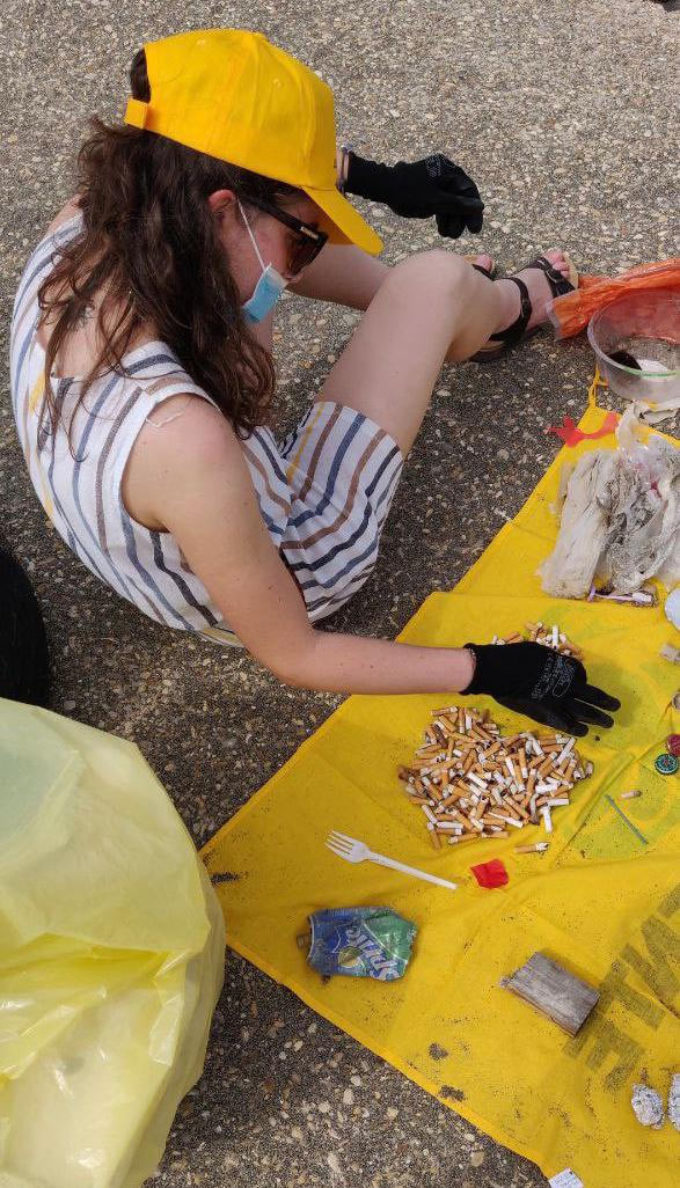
{"points": [[601, 902]]}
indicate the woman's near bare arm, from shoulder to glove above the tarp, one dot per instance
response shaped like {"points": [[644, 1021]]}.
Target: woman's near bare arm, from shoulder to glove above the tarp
{"points": [[205, 497]]}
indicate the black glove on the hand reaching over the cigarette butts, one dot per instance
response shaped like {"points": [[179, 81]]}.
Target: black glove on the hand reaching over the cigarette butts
{"points": [[549, 687]]}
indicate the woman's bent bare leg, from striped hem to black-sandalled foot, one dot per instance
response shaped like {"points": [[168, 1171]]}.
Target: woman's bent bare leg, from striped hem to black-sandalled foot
{"points": [[430, 308]]}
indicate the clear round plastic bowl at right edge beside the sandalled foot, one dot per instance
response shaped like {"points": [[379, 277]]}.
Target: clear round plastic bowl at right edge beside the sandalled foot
{"points": [[647, 326]]}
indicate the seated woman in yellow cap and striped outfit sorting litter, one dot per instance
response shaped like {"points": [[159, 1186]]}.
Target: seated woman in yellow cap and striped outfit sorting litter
{"points": [[148, 308]]}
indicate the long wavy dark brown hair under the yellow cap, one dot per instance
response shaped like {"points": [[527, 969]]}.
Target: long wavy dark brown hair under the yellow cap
{"points": [[150, 244]]}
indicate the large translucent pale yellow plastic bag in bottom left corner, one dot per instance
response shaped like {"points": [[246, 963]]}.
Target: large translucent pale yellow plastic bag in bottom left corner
{"points": [[111, 957]]}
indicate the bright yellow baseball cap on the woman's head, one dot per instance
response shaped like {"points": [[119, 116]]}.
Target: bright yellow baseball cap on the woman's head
{"points": [[232, 94]]}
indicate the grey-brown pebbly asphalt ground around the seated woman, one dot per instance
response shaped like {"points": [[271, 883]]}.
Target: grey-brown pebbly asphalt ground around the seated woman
{"points": [[565, 115]]}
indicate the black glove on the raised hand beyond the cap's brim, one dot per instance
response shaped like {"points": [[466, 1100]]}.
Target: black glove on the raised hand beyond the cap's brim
{"points": [[425, 188]]}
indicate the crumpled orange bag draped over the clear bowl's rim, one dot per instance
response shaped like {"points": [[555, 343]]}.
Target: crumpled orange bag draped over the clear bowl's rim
{"points": [[572, 313]]}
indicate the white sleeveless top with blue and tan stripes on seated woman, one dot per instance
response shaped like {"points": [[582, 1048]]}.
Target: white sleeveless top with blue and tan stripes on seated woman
{"points": [[80, 486]]}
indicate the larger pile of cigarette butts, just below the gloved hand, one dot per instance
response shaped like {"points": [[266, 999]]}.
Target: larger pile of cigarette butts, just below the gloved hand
{"points": [[473, 782]]}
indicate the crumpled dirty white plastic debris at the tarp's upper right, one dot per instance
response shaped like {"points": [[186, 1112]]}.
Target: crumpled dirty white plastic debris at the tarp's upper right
{"points": [[621, 519]]}
